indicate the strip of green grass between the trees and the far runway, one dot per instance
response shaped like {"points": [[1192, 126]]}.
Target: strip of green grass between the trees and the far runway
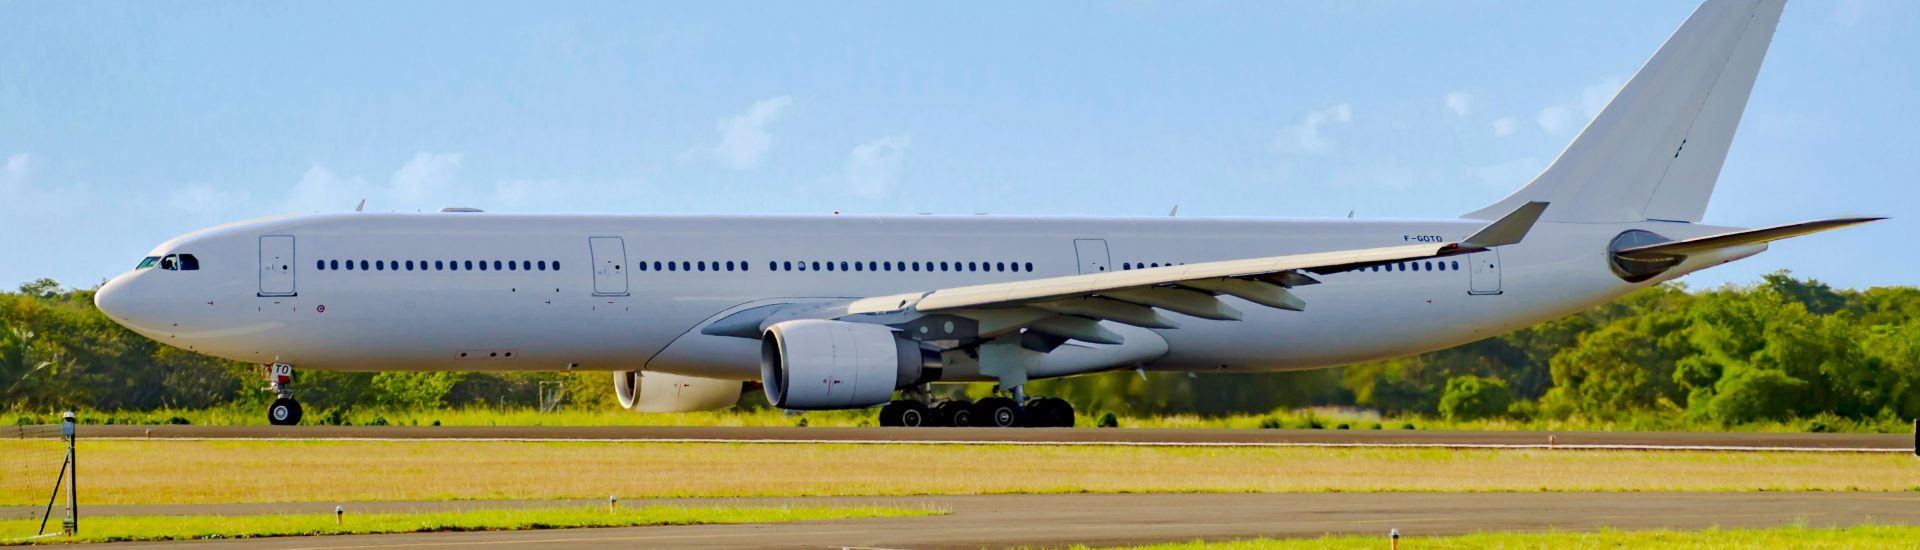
{"points": [[1308, 418]]}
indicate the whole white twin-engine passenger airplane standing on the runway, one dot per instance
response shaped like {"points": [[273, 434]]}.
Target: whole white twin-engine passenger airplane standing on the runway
{"points": [[836, 312]]}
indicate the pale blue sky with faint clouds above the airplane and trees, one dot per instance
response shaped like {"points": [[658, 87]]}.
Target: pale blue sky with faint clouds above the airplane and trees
{"points": [[124, 124]]}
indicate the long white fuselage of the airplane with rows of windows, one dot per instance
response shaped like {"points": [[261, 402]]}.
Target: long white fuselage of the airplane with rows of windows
{"points": [[279, 291]]}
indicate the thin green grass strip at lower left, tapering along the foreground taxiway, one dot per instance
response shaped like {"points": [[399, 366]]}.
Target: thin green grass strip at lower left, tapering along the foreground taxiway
{"points": [[191, 528]]}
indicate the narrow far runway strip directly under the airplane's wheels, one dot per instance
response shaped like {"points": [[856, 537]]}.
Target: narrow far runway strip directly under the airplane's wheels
{"points": [[1115, 437]]}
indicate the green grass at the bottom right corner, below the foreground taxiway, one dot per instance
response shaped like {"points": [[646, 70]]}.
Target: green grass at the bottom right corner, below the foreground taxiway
{"points": [[1781, 537]]}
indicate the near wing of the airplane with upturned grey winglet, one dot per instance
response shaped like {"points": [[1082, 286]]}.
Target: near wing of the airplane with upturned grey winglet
{"points": [[1134, 297]]}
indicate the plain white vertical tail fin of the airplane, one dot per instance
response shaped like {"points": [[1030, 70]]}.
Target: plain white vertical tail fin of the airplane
{"points": [[1656, 151]]}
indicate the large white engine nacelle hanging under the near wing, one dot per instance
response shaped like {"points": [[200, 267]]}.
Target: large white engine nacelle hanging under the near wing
{"points": [[813, 364]]}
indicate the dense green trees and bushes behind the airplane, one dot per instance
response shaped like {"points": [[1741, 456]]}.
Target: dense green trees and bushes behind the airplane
{"points": [[1783, 351]]}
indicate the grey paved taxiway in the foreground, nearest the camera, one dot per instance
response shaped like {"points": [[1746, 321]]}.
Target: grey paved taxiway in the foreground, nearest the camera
{"points": [[1105, 520]]}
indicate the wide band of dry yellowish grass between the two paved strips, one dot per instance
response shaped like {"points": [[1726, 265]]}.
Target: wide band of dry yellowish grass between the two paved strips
{"points": [[191, 472]]}
